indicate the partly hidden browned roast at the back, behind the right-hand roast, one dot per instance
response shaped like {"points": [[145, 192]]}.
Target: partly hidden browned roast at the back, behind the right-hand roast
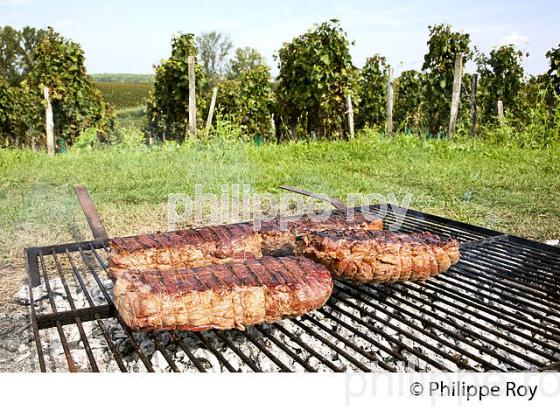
{"points": [[278, 241]]}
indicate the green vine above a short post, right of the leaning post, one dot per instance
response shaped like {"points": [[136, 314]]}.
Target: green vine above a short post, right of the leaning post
{"points": [[501, 78]]}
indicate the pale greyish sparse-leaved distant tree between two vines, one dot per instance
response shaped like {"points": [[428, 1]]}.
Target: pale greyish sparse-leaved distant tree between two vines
{"points": [[213, 51]]}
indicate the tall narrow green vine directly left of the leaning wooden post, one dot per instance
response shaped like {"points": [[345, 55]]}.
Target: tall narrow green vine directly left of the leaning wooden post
{"points": [[439, 64]]}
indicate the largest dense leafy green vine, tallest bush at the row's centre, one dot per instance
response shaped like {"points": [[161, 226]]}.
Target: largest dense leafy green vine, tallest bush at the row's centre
{"points": [[315, 75]]}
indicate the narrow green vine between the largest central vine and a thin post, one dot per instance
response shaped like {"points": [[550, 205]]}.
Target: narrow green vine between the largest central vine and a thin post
{"points": [[373, 92]]}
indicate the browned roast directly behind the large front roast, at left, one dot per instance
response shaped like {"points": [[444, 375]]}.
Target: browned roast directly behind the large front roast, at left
{"points": [[184, 248]]}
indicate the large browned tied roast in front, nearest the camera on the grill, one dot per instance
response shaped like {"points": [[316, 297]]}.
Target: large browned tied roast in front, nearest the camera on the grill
{"points": [[225, 296]]}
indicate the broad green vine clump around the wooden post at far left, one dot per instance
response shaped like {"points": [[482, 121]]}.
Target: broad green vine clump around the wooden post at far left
{"points": [[58, 64]]}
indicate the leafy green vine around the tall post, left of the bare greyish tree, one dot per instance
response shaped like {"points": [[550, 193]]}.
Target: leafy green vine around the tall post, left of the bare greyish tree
{"points": [[168, 103]]}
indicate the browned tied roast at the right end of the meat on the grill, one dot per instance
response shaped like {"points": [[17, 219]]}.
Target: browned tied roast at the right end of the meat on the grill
{"points": [[380, 256]]}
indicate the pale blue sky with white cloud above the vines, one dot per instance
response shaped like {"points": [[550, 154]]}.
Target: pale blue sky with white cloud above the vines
{"points": [[131, 36]]}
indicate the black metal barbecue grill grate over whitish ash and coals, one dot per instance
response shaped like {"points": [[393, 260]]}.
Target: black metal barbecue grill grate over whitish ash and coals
{"points": [[498, 309]]}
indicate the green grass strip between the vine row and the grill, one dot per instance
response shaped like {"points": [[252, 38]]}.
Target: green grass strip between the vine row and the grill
{"points": [[505, 188]]}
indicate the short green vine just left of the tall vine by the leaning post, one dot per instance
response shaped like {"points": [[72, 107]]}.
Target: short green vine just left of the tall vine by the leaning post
{"points": [[408, 100]]}
